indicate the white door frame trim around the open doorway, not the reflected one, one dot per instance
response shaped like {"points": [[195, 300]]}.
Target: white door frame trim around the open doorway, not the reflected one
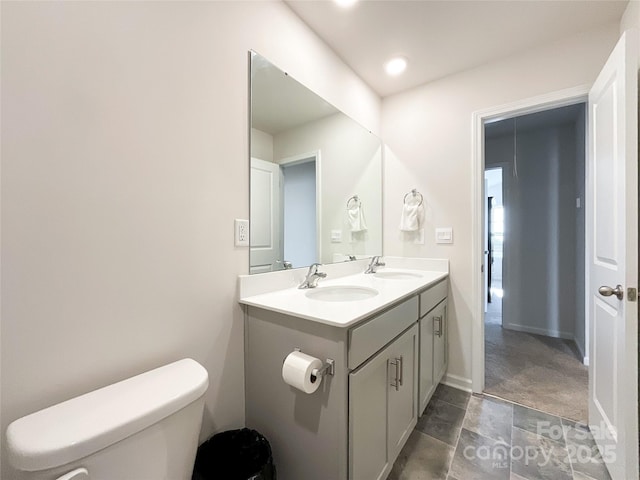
{"points": [[560, 98]]}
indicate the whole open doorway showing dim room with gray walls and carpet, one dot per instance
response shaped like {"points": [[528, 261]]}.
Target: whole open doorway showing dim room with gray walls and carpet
{"points": [[535, 335]]}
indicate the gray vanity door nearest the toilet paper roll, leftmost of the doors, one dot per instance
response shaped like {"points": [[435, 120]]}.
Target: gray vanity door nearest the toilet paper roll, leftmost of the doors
{"points": [[368, 388]]}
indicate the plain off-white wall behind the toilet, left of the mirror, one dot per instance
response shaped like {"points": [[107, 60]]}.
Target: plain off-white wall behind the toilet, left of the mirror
{"points": [[124, 163]]}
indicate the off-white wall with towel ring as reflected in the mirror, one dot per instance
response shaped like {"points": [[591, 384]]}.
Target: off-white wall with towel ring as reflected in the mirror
{"points": [[350, 164]]}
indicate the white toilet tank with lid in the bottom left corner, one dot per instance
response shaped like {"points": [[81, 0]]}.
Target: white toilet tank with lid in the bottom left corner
{"points": [[143, 428]]}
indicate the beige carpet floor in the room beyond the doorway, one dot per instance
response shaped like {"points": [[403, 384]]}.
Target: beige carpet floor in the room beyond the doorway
{"points": [[540, 372]]}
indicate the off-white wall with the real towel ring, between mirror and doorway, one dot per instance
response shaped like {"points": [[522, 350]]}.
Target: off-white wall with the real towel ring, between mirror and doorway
{"points": [[429, 130]]}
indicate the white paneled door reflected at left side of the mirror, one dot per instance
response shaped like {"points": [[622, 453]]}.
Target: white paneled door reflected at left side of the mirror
{"points": [[265, 230]]}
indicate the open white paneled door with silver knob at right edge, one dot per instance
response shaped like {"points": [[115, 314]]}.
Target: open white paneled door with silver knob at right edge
{"points": [[612, 240]]}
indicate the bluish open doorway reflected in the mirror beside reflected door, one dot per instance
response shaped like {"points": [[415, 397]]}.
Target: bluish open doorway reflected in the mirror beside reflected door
{"points": [[299, 212]]}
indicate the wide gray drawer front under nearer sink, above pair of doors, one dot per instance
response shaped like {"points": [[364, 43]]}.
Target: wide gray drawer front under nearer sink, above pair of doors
{"points": [[370, 337]]}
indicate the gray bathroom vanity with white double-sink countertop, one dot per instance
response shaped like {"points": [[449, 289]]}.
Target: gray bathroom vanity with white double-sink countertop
{"points": [[386, 334]]}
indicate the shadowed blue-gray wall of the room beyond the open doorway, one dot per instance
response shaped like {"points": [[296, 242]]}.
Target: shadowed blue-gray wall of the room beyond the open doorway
{"points": [[541, 229]]}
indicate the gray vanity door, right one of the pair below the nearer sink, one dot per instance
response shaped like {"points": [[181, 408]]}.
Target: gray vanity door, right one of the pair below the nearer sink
{"points": [[403, 390]]}
